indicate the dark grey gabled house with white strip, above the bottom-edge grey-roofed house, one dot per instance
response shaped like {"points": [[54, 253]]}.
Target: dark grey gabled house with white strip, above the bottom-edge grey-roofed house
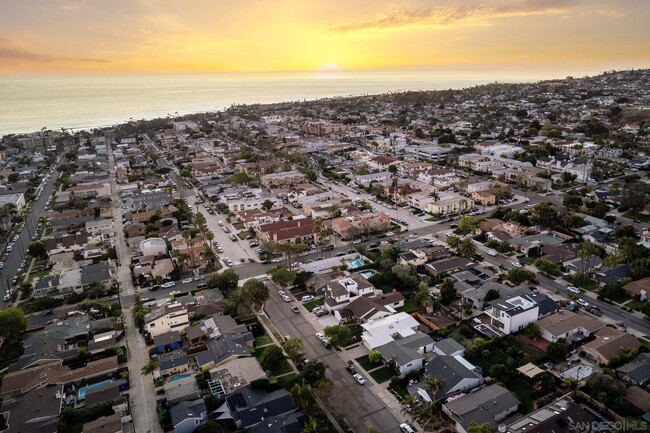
{"points": [[456, 375]]}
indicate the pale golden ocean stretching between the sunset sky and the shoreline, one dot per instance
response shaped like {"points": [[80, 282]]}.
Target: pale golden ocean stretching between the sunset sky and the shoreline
{"points": [[29, 103]]}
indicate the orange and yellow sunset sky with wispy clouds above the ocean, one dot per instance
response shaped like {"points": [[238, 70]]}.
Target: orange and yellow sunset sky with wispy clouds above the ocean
{"points": [[288, 35]]}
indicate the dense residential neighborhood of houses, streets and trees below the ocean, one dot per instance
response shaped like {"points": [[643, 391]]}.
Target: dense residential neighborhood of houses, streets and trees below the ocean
{"points": [[464, 261]]}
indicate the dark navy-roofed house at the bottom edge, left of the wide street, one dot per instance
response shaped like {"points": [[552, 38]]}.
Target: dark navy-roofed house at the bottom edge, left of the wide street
{"points": [[248, 407]]}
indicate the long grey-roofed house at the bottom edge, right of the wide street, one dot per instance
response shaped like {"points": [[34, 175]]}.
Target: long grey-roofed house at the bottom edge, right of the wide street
{"points": [[491, 405]]}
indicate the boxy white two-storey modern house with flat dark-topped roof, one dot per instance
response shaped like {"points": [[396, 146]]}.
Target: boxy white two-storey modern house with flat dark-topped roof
{"points": [[512, 314]]}
